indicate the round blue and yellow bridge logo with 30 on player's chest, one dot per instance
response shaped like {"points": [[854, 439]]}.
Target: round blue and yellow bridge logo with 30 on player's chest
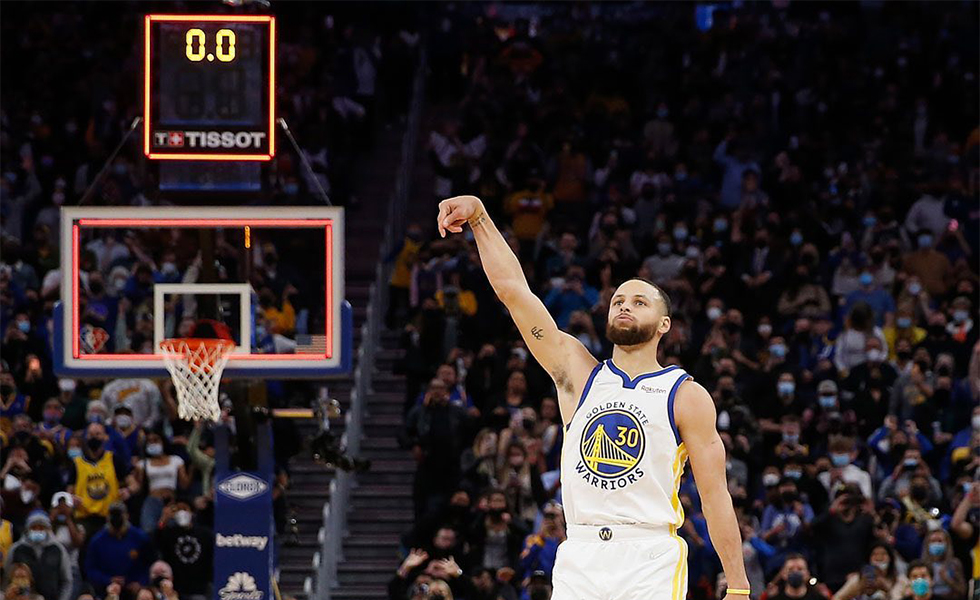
{"points": [[612, 446]]}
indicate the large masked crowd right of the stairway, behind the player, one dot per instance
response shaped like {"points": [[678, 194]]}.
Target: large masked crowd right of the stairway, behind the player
{"points": [[803, 180]]}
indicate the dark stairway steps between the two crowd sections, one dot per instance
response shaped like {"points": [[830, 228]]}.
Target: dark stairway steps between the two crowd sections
{"points": [[310, 481]]}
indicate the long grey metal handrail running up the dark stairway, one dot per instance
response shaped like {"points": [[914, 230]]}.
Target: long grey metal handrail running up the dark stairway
{"points": [[336, 508]]}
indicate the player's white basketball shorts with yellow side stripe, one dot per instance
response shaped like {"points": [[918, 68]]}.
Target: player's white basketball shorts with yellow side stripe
{"points": [[620, 562]]}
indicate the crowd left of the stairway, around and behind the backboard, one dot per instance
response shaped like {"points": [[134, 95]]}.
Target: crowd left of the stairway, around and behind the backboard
{"points": [[104, 492]]}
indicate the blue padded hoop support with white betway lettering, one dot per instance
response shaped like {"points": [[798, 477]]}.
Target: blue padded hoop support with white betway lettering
{"points": [[243, 531]]}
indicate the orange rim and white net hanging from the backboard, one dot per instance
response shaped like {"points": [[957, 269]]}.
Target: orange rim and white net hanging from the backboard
{"points": [[195, 366]]}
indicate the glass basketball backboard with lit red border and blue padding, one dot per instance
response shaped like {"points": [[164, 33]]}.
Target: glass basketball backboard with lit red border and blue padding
{"points": [[134, 276]]}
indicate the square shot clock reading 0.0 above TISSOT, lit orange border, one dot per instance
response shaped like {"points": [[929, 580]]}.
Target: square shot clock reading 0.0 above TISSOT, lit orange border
{"points": [[209, 87]]}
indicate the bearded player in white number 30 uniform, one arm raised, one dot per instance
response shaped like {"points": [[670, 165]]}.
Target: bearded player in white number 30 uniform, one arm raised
{"points": [[631, 425]]}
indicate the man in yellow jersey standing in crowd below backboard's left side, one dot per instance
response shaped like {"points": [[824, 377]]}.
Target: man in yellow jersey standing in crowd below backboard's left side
{"points": [[94, 479]]}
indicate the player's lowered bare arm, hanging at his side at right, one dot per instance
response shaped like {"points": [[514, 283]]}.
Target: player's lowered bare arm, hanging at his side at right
{"points": [[694, 413]]}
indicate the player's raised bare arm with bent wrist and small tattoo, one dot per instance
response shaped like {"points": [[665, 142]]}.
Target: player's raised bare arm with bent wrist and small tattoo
{"points": [[561, 355]]}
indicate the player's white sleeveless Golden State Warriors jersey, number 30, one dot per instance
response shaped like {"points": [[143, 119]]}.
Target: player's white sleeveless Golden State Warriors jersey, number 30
{"points": [[622, 458]]}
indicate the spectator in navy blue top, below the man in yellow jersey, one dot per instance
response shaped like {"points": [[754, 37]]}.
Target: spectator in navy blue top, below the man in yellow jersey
{"points": [[119, 553]]}
